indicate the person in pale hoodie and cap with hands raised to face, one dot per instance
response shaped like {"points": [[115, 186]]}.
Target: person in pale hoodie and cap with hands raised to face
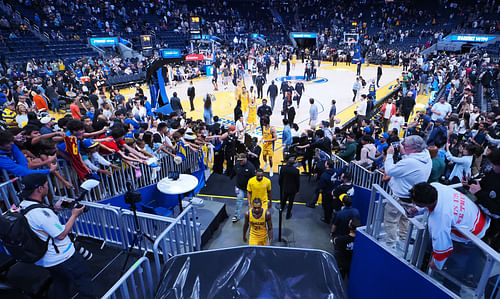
{"points": [[414, 167]]}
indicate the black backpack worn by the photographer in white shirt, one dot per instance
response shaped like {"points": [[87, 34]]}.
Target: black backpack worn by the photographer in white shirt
{"points": [[19, 239]]}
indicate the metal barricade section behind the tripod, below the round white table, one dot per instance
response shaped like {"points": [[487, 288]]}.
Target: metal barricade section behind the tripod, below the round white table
{"points": [[152, 225]]}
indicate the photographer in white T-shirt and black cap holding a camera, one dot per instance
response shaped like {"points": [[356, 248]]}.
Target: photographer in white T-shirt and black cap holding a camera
{"points": [[61, 259]]}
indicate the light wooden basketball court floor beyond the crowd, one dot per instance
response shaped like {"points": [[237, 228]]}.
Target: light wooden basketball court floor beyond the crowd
{"points": [[332, 82]]}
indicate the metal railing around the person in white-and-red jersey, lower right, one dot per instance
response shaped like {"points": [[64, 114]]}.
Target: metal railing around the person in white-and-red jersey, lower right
{"points": [[485, 259]]}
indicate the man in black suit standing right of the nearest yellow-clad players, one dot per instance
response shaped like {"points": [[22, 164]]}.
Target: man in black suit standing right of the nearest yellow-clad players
{"points": [[289, 181]]}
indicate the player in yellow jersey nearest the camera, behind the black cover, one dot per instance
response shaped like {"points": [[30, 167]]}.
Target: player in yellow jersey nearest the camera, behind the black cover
{"points": [[261, 225]]}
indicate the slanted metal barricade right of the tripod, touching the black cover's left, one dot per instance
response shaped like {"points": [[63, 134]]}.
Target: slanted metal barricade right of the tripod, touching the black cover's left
{"points": [[182, 236]]}
